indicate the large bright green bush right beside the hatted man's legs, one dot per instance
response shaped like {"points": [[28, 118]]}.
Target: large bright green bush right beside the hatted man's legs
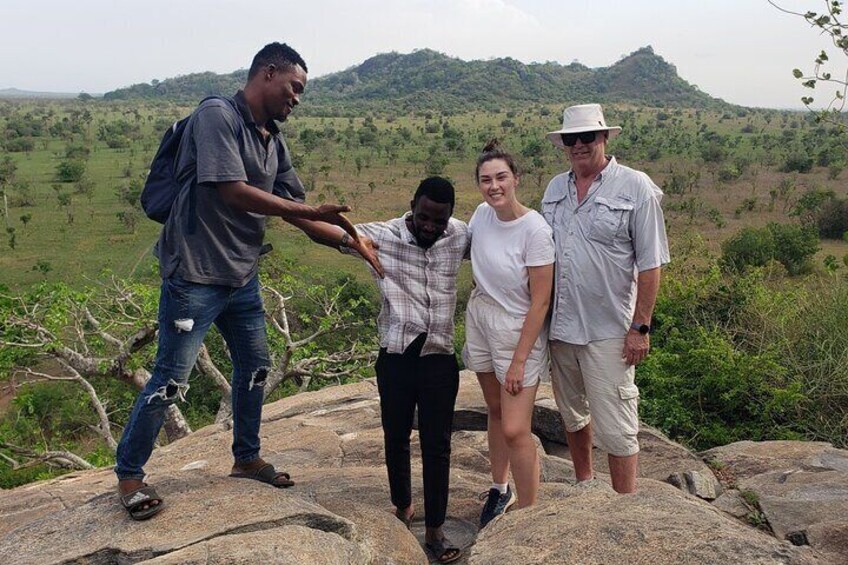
{"points": [[710, 378]]}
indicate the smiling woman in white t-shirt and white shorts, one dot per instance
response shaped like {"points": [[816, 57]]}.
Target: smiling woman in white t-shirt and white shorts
{"points": [[512, 256]]}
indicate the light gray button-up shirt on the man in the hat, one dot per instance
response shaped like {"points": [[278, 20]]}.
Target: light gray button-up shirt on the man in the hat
{"points": [[601, 244]]}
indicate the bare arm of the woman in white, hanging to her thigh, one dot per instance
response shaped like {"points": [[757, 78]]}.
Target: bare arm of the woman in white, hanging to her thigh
{"points": [[541, 282]]}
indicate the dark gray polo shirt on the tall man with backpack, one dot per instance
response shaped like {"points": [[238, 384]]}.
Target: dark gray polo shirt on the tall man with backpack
{"points": [[205, 240]]}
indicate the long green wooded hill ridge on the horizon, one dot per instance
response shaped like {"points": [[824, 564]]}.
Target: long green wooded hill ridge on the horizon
{"points": [[427, 79]]}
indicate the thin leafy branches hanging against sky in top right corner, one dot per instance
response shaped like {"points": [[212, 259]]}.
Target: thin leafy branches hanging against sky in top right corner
{"points": [[833, 26]]}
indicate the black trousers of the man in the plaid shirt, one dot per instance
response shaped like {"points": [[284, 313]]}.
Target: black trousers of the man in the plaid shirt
{"points": [[430, 382]]}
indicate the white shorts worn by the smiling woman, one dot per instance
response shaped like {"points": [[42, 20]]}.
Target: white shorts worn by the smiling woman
{"points": [[491, 335]]}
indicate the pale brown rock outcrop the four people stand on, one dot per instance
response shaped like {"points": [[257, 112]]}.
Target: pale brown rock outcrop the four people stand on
{"points": [[686, 511]]}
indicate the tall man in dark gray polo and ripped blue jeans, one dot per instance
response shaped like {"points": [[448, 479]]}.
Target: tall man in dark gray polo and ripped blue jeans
{"points": [[233, 167]]}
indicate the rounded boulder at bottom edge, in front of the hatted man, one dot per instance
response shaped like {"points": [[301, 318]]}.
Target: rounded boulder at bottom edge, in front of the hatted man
{"points": [[591, 524]]}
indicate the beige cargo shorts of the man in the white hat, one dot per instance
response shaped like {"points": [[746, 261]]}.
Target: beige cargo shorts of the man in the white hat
{"points": [[592, 381]]}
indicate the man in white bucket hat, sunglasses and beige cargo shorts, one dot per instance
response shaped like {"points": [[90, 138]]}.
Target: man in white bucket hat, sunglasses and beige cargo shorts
{"points": [[610, 247]]}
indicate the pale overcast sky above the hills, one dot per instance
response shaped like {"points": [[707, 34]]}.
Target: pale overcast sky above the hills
{"points": [[740, 50]]}
